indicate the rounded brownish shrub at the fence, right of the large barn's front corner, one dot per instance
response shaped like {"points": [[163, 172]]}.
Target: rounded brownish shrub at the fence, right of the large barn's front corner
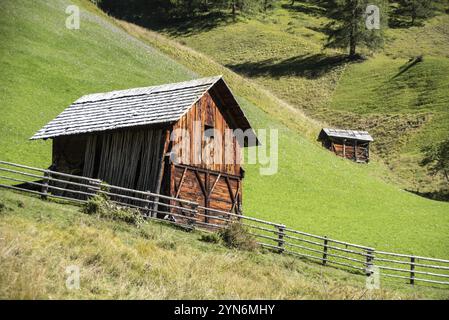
{"points": [[236, 236]]}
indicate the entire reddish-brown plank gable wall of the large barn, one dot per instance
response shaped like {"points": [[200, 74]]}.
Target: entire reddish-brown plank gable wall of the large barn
{"points": [[210, 174]]}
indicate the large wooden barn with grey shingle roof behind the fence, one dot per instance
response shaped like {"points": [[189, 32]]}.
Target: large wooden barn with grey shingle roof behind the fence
{"points": [[127, 138]]}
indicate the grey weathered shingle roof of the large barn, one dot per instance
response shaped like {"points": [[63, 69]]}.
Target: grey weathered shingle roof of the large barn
{"points": [[133, 107]]}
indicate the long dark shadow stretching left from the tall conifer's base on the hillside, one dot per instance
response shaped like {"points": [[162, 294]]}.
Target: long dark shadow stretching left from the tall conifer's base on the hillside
{"points": [[307, 66]]}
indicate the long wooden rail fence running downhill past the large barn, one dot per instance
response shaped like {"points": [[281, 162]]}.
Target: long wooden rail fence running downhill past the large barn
{"points": [[275, 237]]}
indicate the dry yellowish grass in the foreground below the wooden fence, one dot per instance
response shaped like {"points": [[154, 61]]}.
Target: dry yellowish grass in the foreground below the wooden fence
{"points": [[39, 240]]}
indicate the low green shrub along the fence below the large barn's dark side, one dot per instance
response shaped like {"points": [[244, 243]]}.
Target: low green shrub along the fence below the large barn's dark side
{"points": [[102, 206]]}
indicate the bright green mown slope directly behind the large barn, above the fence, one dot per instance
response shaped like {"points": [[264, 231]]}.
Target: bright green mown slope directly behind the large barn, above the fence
{"points": [[49, 66]]}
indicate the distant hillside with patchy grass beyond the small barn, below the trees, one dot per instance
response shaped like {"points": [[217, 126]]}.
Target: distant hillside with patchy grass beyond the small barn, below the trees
{"points": [[404, 106]]}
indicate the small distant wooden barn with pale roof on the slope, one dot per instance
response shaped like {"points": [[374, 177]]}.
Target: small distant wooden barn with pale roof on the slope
{"points": [[348, 144]]}
